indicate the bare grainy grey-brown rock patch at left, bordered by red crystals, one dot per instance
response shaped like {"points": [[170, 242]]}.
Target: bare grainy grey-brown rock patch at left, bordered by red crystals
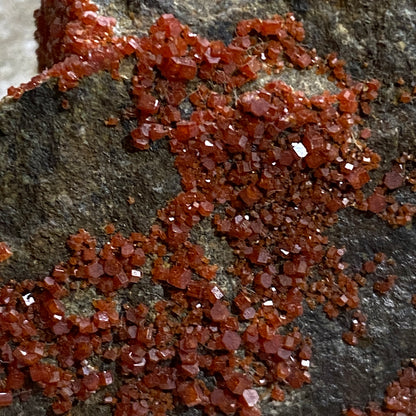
{"points": [[64, 169]]}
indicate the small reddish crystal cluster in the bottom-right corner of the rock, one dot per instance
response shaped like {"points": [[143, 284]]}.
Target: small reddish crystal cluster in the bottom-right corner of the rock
{"points": [[399, 399]]}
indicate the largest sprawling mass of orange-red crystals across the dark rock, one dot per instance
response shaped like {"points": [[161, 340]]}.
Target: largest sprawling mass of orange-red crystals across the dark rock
{"points": [[271, 167]]}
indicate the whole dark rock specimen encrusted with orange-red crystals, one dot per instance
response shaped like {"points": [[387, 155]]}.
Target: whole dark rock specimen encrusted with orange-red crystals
{"points": [[211, 301]]}
